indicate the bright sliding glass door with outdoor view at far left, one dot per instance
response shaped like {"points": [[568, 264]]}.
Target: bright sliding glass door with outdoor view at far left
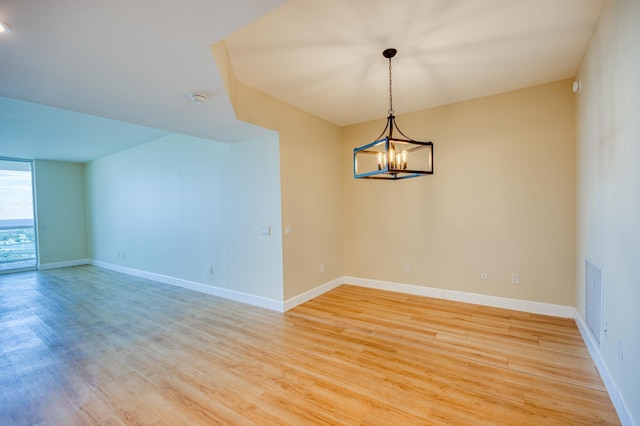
{"points": [[17, 225]]}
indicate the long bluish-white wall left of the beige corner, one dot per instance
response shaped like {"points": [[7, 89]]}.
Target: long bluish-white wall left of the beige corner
{"points": [[179, 205]]}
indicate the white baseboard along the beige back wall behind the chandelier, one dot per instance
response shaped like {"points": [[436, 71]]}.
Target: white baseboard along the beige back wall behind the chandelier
{"points": [[460, 296]]}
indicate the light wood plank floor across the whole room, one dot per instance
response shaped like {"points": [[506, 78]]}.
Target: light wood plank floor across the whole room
{"points": [[85, 345]]}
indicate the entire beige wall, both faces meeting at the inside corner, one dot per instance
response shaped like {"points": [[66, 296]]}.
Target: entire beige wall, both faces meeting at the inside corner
{"points": [[502, 199]]}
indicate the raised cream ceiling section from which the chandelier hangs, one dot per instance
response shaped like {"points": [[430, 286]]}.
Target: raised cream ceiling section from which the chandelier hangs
{"points": [[326, 56]]}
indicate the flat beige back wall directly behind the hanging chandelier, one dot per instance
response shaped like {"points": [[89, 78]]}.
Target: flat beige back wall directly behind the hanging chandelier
{"points": [[501, 199]]}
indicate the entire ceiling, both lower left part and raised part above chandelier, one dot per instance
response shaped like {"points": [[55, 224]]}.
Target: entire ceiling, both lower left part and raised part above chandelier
{"points": [[135, 63]]}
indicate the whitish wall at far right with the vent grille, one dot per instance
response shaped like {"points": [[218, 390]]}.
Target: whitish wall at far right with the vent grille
{"points": [[608, 187]]}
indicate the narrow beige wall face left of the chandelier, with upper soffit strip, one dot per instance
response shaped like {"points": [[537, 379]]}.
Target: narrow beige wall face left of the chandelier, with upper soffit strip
{"points": [[311, 182]]}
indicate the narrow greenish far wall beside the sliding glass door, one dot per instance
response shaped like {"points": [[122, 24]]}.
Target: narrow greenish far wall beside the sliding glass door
{"points": [[60, 212]]}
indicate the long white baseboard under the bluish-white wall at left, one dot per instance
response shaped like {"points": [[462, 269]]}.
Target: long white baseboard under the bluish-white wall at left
{"points": [[237, 296]]}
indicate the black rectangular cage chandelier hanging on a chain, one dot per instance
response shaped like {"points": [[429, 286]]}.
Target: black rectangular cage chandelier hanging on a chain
{"points": [[390, 157]]}
